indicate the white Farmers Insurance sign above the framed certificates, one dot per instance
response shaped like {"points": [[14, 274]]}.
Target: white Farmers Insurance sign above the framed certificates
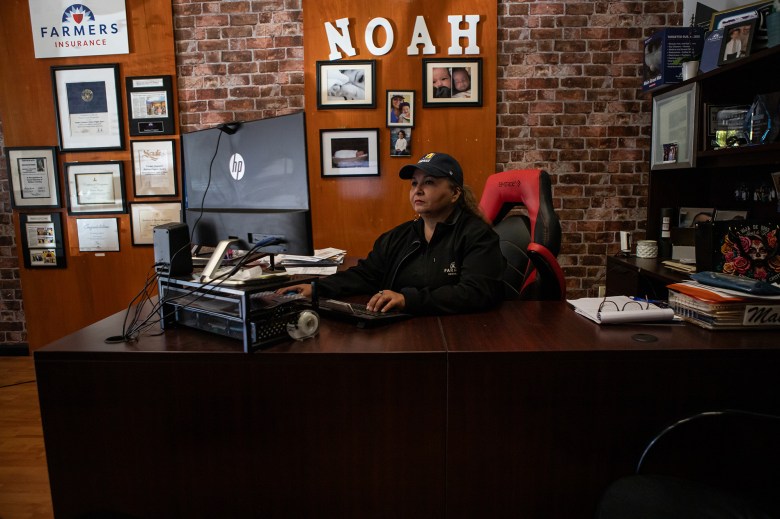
{"points": [[61, 28]]}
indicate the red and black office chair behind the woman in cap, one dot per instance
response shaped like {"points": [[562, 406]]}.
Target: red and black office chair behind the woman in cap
{"points": [[529, 243]]}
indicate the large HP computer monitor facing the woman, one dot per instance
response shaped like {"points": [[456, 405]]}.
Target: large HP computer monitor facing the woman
{"points": [[249, 181]]}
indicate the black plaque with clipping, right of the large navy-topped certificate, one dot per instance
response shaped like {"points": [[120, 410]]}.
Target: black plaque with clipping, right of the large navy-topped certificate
{"points": [[150, 105]]}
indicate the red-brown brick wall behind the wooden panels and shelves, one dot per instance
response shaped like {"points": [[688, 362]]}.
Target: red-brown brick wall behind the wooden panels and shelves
{"points": [[569, 101]]}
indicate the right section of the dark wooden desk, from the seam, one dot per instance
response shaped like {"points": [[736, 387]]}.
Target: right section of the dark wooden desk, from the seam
{"points": [[546, 408]]}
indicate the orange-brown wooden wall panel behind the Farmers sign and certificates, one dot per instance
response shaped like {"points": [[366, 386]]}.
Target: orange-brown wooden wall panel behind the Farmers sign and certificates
{"points": [[93, 286]]}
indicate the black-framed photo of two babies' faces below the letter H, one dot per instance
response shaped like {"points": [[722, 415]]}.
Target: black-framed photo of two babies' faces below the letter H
{"points": [[452, 82]]}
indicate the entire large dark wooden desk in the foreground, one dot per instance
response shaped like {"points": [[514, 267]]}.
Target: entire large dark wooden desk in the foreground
{"points": [[525, 411]]}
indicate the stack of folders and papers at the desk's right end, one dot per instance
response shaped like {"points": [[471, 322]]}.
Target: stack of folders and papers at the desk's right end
{"points": [[723, 309]]}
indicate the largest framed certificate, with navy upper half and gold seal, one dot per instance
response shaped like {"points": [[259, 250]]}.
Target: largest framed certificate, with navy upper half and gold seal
{"points": [[86, 99]]}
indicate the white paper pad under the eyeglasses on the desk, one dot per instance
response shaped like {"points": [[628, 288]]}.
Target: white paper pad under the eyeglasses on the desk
{"points": [[620, 309]]}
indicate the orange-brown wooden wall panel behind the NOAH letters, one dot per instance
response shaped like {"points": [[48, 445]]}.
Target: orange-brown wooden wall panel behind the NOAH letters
{"points": [[350, 213]]}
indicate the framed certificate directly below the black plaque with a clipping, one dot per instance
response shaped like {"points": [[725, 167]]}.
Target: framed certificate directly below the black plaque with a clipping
{"points": [[154, 168]]}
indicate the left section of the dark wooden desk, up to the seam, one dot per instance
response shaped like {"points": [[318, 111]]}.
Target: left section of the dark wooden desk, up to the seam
{"points": [[351, 423]]}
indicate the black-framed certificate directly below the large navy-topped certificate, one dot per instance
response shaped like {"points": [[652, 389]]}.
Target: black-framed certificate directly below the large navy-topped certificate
{"points": [[95, 187]]}
